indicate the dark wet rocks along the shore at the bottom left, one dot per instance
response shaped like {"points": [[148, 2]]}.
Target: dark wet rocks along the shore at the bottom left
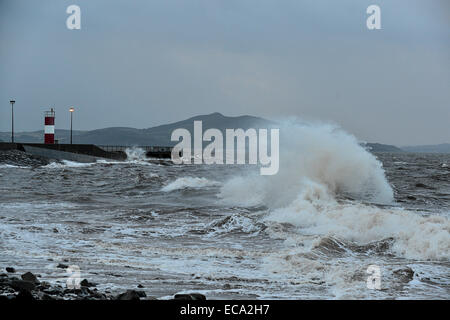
{"points": [[28, 286]]}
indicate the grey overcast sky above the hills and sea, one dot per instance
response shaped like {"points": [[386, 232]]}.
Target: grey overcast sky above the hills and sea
{"points": [[143, 63]]}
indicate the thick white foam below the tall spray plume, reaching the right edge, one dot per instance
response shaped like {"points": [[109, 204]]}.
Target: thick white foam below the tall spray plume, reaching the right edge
{"points": [[417, 237]]}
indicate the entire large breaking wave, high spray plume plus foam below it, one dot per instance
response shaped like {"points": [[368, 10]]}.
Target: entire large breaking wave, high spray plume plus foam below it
{"points": [[320, 162]]}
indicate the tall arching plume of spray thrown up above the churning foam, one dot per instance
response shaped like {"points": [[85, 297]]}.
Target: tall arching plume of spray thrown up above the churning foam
{"points": [[321, 153]]}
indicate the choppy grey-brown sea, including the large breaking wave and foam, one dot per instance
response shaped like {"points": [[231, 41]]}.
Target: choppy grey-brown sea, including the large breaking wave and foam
{"points": [[309, 232]]}
